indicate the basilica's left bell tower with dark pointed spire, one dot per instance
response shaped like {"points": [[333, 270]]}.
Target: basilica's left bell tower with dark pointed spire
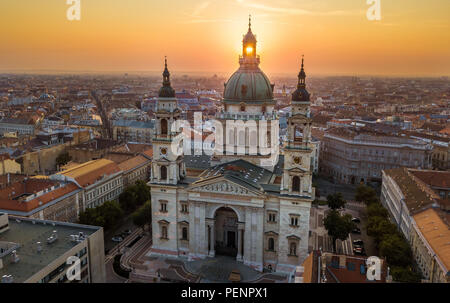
{"points": [[167, 166]]}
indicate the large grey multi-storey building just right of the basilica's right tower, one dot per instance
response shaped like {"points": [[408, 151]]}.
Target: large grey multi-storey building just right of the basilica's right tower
{"points": [[352, 156]]}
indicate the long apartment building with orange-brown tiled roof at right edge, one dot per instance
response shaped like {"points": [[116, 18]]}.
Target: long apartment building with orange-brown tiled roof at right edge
{"points": [[422, 215]]}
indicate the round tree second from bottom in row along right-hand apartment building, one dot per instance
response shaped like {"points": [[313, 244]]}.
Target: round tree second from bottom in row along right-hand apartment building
{"points": [[396, 250]]}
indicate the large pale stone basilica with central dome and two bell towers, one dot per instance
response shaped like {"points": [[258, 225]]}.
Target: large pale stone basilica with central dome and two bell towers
{"points": [[251, 205]]}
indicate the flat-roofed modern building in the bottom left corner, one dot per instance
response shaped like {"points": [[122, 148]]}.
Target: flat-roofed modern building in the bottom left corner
{"points": [[38, 251]]}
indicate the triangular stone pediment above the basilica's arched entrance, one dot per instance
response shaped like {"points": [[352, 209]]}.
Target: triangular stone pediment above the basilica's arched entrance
{"points": [[223, 186]]}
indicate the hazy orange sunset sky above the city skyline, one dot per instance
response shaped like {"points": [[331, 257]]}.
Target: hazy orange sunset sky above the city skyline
{"points": [[413, 37]]}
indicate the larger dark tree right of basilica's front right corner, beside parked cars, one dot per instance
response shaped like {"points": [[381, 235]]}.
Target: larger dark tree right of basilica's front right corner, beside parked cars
{"points": [[338, 226]]}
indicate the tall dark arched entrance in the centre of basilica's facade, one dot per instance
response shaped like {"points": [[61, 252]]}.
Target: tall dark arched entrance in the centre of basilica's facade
{"points": [[226, 232]]}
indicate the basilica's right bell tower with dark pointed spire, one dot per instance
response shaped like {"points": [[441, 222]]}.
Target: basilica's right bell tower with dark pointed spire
{"points": [[297, 173]]}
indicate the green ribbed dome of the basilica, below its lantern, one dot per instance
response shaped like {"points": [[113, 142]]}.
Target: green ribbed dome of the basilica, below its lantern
{"points": [[248, 85]]}
